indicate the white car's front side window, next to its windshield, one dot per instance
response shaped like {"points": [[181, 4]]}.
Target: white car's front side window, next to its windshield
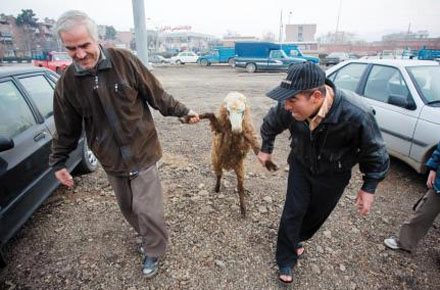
{"points": [[384, 81]]}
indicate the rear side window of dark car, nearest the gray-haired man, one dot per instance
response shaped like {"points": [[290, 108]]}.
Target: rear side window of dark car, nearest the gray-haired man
{"points": [[41, 92]]}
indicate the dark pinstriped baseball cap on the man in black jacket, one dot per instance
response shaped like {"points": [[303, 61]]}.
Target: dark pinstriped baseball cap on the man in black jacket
{"points": [[300, 77]]}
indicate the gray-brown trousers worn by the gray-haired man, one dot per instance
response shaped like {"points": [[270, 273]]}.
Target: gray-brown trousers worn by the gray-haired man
{"points": [[140, 200]]}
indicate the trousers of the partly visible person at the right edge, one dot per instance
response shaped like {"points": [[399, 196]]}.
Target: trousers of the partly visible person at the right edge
{"points": [[418, 225]]}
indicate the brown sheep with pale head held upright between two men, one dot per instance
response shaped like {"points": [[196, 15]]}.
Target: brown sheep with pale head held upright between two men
{"points": [[233, 136]]}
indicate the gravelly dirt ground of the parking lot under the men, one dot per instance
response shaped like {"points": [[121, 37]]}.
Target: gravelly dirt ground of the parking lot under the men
{"points": [[78, 239]]}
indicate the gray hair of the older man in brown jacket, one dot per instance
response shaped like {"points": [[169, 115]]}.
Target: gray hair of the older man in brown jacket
{"points": [[72, 18]]}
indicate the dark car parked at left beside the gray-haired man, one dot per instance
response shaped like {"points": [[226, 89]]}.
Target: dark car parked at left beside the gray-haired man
{"points": [[26, 130]]}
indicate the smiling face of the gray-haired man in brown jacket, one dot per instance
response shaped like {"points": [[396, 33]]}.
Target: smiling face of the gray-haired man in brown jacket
{"points": [[81, 47]]}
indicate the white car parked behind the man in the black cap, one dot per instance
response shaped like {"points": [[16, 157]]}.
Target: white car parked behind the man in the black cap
{"points": [[405, 97]]}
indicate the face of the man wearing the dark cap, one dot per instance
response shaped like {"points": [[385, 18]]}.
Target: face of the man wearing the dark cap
{"points": [[302, 106]]}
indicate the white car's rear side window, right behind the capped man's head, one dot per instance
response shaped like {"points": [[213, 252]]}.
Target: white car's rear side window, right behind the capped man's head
{"points": [[349, 76]]}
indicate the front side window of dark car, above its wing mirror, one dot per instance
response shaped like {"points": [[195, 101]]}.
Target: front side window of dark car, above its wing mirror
{"points": [[15, 114]]}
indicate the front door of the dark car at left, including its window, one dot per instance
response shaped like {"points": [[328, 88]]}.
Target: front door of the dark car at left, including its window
{"points": [[27, 161]]}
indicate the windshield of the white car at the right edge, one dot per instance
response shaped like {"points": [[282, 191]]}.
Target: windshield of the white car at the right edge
{"points": [[427, 80]]}
